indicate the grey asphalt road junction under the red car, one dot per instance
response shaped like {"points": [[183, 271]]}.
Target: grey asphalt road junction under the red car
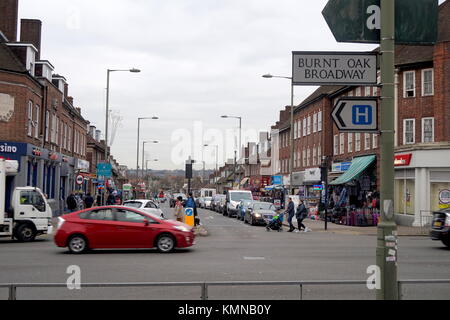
{"points": [[233, 251]]}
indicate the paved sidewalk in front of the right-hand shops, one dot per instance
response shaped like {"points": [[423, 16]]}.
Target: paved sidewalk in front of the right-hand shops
{"points": [[319, 226]]}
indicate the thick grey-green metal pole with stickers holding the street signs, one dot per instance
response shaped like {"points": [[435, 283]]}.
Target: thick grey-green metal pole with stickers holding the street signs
{"points": [[387, 229]]}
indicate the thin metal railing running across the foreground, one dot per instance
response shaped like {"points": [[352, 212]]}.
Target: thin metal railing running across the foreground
{"points": [[204, 286]]}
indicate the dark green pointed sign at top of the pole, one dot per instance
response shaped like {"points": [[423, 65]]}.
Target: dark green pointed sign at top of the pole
{"points": [[360, 21]]}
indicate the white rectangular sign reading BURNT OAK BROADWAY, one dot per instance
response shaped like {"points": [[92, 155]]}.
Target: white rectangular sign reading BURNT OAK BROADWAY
{"points": [[334, 68]]}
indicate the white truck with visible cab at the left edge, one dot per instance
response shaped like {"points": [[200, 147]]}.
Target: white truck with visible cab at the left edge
{"points": [[30, 214]]}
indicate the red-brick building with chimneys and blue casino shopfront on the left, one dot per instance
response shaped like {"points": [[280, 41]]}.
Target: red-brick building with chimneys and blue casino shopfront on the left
{"points": [[40, 127]]}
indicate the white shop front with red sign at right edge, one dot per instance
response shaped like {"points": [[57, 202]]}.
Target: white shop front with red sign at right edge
{"points": [[422, 185]]}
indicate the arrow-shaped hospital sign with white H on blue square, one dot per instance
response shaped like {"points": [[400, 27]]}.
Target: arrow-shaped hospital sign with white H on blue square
{"points": [[357, 114]]}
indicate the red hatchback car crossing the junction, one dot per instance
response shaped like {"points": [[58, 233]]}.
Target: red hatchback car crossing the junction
{"points": [[120, 227]]}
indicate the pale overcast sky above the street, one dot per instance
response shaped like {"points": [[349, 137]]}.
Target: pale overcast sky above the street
{"points": [[200, 59]]}
